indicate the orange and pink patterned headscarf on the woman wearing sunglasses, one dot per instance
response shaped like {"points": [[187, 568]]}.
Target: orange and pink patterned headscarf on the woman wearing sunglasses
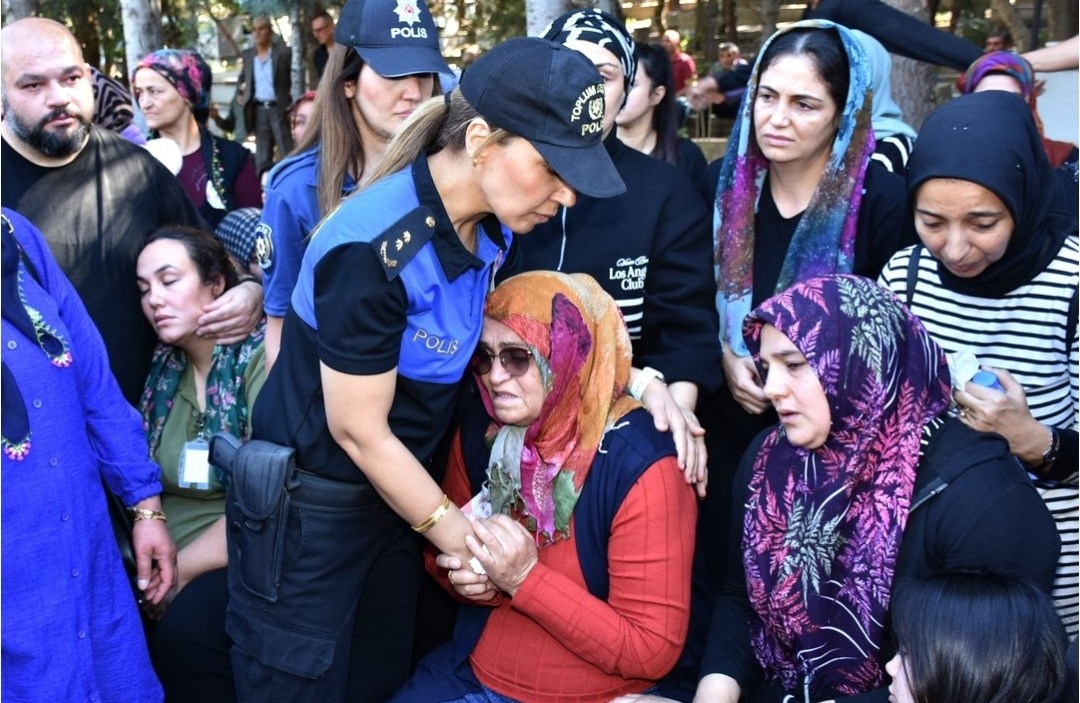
{"points": [[579, 342]]}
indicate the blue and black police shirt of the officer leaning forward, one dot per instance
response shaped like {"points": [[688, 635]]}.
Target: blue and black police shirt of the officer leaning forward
{"points": [[385, 283]]}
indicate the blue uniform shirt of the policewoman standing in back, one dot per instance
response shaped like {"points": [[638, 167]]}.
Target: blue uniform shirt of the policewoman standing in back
{"points": [[289, 215]]}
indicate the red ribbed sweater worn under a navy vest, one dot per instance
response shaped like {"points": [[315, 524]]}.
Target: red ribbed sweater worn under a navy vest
{"points": [[556, 643]]}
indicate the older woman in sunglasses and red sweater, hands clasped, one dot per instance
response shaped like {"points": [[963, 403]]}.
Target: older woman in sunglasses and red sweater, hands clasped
{"points": [[584, 525]]}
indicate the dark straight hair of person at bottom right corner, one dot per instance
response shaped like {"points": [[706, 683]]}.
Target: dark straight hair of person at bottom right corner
{"points": [[980, 639]]}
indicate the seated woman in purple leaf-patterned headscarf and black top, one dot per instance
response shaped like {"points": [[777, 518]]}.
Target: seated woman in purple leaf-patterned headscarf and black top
{"points": [[847, 495]]}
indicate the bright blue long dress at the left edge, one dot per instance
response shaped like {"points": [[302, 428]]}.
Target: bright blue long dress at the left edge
{"points": [[71, 628]]}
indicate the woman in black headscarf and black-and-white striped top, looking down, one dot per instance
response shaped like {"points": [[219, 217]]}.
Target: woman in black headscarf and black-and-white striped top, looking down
{"points": [[997, 275]]}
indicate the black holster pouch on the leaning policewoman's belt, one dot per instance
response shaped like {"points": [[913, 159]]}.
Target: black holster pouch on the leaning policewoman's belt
{"points": [[262, 475]]}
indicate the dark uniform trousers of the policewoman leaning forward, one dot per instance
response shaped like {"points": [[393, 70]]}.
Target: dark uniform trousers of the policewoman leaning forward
{"points": [[342, 626]]}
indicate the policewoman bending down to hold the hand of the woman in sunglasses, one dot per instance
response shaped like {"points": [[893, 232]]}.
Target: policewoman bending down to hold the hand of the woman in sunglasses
{"points": [[380, 332]]}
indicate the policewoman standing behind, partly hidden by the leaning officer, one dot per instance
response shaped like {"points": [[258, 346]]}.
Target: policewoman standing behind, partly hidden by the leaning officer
{"points": [[382, 67]]}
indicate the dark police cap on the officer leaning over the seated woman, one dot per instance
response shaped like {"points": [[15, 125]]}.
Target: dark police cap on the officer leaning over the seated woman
{"points": [[553, 98]]}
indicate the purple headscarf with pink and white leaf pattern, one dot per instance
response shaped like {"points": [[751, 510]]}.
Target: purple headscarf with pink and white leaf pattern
{"points": [[823, 528]]}
